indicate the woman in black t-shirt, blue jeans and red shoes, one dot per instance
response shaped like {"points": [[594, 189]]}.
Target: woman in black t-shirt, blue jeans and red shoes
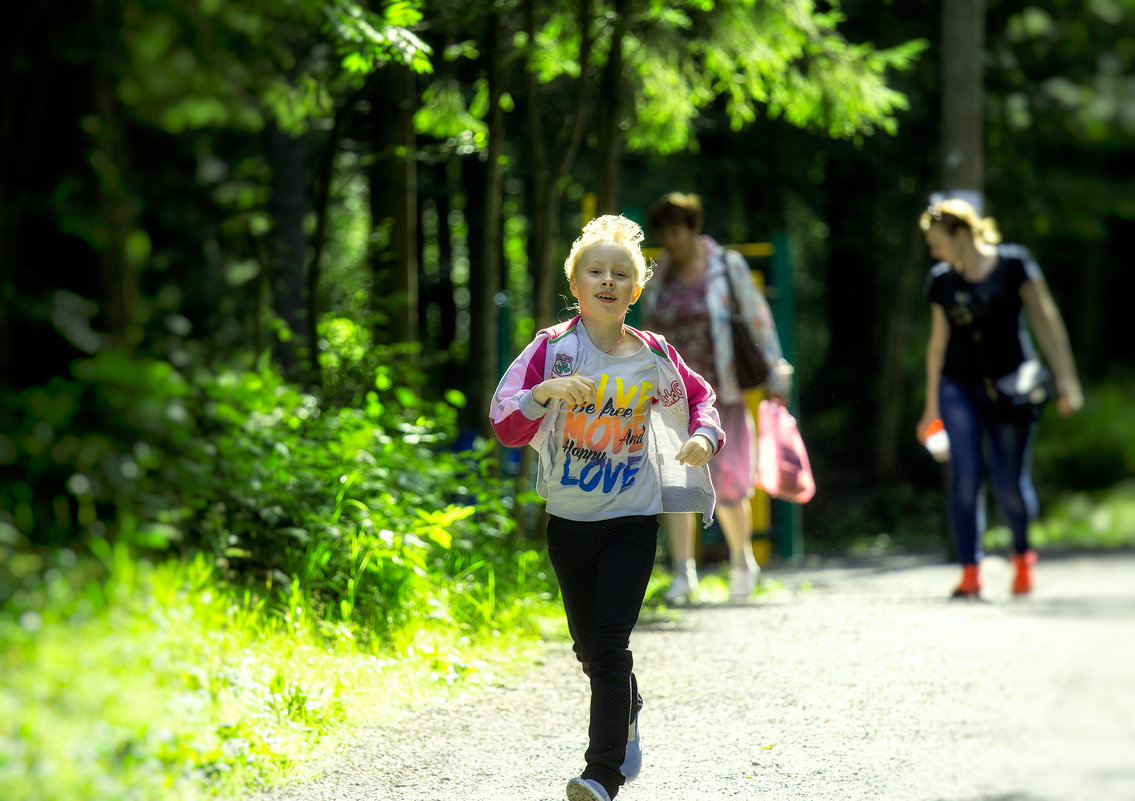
{"points": [[979, 366]]}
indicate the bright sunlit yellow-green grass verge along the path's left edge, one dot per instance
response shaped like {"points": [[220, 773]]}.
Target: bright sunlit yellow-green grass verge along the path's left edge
{"points": [[163, 684]]}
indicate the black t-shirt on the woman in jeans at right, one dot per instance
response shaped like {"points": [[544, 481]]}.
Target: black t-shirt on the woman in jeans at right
{"points": [[989, 336]]}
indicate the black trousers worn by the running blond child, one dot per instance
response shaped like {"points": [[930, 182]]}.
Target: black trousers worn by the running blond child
{"points": [[603, 569]]}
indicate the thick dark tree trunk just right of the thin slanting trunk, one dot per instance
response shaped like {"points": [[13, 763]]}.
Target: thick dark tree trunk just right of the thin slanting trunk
{"points": [[394, 199]]}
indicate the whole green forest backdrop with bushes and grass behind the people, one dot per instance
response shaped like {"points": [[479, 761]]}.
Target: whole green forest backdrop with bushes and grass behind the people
{"points": [[262, 265]]}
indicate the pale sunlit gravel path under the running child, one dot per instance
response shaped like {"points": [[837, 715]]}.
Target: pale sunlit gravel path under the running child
{"points": [[867, 686]]}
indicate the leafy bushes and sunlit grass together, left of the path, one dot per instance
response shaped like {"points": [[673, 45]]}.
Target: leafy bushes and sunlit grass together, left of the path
{"points": [[326, 546]]}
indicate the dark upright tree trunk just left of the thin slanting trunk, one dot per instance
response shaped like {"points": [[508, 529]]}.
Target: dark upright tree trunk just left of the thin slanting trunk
{"points": [[289, 252]]}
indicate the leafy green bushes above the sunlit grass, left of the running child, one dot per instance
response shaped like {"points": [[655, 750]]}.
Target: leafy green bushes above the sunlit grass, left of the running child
{"points": [[366, 512]]}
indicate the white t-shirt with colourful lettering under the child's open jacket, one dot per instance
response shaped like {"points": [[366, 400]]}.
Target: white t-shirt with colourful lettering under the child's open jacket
{"points": [[602, 469]]}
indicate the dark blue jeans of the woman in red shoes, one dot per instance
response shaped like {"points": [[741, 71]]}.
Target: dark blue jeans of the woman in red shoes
{"points": [[972, 419]]}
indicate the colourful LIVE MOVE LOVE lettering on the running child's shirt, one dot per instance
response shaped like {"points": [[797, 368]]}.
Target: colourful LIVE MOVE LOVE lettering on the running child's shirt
{"points": [[603, 442]]}
